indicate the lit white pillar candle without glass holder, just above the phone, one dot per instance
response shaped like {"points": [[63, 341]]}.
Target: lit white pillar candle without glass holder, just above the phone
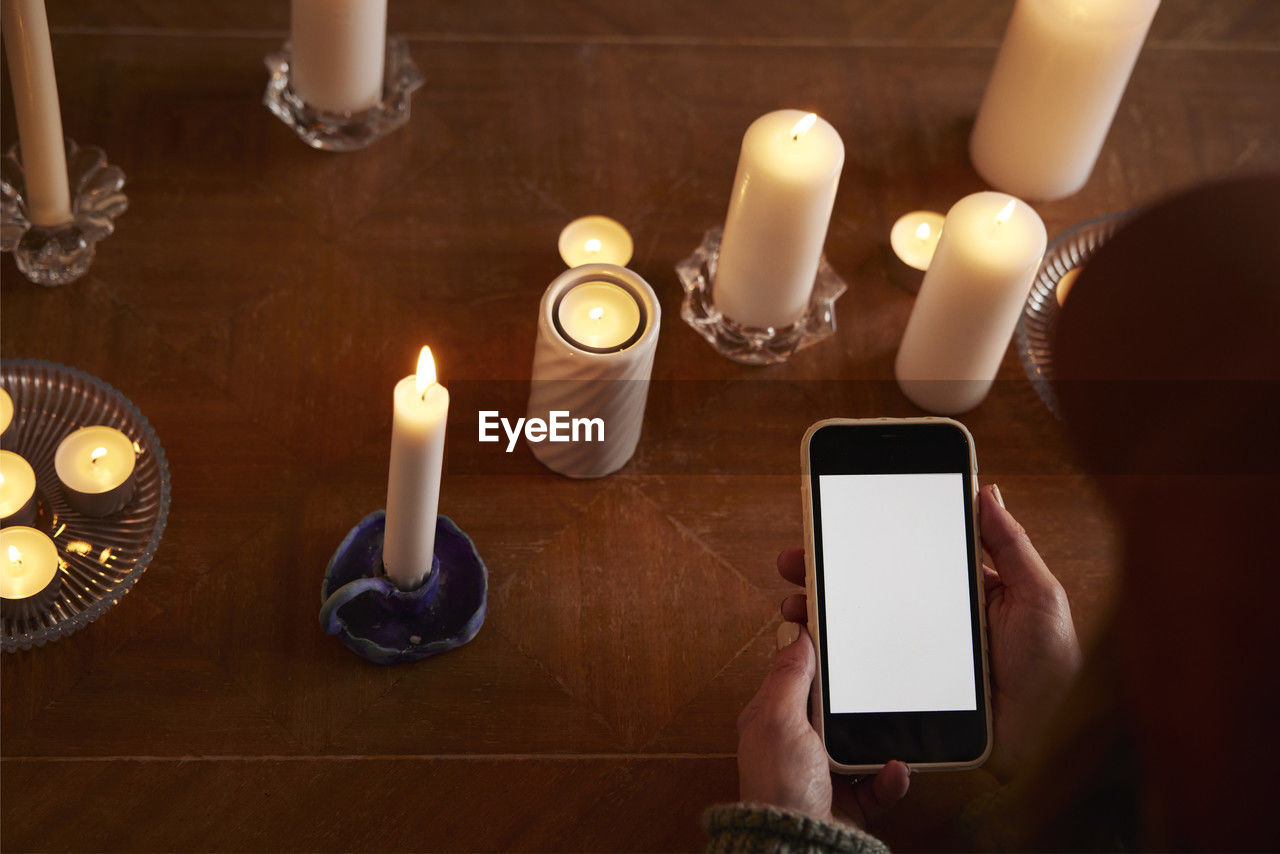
{"points": [[970, 303]]}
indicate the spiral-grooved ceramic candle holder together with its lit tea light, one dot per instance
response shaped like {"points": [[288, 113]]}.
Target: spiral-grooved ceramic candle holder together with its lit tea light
{"points": [[597, 336]]}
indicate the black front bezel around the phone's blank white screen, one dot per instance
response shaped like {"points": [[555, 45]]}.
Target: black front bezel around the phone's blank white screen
{"points": [[874, 739]]}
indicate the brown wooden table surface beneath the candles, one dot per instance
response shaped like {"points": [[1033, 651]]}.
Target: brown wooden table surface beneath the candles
{"points": [[260, 300]]}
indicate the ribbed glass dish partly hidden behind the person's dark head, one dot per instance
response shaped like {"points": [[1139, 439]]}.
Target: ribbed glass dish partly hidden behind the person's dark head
{"points": [[1072, 249]]}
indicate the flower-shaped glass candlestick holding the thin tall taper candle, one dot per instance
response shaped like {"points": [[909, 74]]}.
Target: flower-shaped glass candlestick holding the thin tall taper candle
{"points": [[61, 254]]}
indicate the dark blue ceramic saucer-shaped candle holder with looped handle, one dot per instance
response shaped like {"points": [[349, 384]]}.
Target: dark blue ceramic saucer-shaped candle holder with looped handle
{"points": [[386, 625]]}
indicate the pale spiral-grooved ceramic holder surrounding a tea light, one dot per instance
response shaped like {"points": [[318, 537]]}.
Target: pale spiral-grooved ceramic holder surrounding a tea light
{"points": [[586, 386]]}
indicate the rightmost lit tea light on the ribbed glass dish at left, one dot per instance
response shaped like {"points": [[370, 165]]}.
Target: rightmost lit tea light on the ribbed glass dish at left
{"points": [[97, 469]]}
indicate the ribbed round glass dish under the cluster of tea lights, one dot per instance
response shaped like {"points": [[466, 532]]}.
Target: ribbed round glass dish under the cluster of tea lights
{"points": [[104, 558]]}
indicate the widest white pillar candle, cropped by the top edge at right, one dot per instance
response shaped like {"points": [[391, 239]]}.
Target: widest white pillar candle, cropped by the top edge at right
{"points": [[1058, 81]]}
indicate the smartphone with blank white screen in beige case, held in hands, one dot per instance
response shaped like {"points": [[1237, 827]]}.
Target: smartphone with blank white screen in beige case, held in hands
{"points": [[895, 592]]}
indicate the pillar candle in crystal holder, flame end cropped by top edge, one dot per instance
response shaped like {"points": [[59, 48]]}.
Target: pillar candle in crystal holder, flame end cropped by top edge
{"points": [[336, 56]]}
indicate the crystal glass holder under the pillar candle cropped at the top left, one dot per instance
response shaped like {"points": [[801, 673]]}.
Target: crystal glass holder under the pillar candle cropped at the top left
{"points": [[345, 131]]}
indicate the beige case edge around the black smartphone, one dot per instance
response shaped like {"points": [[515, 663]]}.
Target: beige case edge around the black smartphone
{"points": [[817, 700]]}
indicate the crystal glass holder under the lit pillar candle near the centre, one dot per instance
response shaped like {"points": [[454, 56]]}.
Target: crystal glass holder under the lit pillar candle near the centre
{"points": [[749, 345]]}
